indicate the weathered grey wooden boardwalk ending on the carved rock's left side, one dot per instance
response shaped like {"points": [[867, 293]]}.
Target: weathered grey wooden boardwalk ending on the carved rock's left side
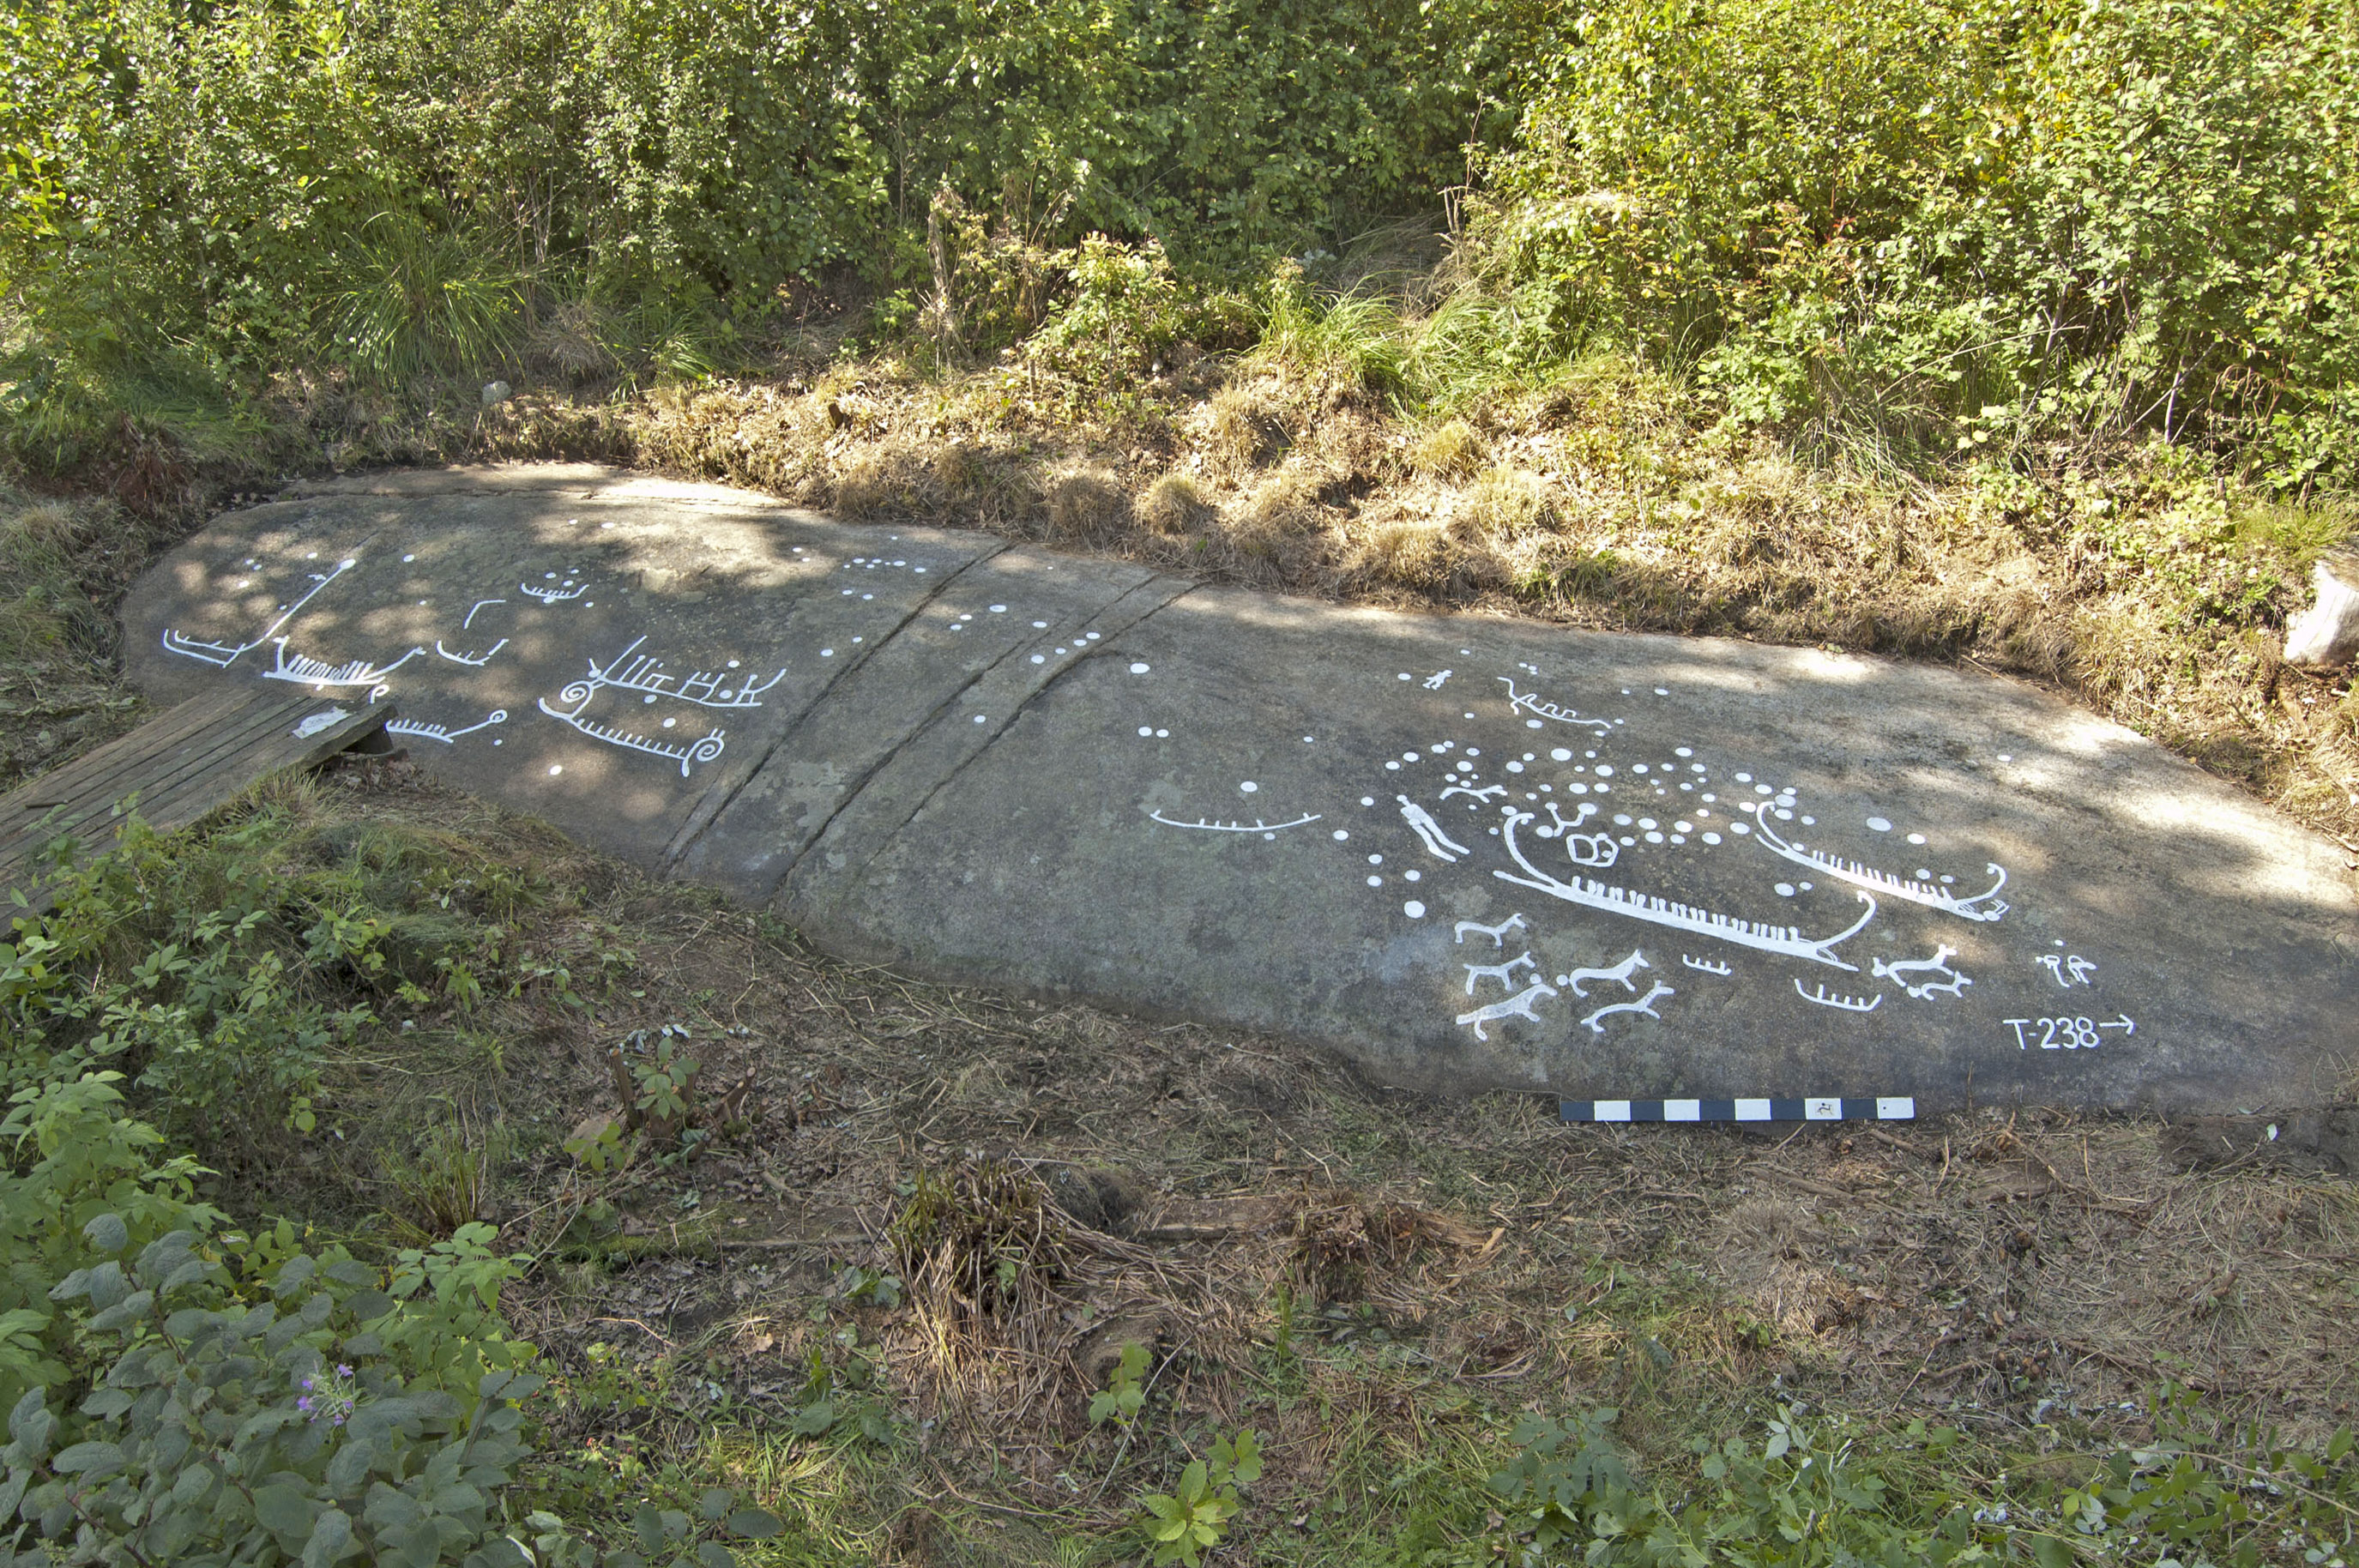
{"points": [[171, 772]]}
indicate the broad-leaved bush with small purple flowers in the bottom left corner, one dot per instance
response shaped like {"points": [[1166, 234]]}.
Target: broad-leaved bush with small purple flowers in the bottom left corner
{"points": [[256, 1404]]}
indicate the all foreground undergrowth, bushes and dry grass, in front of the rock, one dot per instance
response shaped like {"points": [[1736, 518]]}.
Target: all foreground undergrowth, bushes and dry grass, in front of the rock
{"points": [[591, 1289]]}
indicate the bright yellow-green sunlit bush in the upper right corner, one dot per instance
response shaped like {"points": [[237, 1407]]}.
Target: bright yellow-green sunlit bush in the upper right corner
{"points": [[1966, 223]]}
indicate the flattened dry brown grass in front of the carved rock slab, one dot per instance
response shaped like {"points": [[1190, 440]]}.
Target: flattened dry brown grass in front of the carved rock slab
{"points": [[1214, 1197]]}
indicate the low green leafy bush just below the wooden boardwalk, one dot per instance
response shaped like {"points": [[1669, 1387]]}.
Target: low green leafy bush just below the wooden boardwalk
{"points": [[223, 973]]}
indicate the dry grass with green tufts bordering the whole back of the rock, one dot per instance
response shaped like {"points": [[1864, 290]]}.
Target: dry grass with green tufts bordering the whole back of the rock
{"points": [[1374, 449]]}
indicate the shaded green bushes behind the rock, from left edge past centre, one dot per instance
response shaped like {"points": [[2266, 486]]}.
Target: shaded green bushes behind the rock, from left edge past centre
{"points": [[204, 199]]}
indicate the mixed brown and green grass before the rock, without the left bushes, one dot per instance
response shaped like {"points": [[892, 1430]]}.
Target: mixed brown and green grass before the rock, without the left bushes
{"points": [[1379, 1284]]}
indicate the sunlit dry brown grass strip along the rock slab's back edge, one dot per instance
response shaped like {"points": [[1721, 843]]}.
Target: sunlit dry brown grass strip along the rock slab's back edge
{"points": [[1605, 501]]}
